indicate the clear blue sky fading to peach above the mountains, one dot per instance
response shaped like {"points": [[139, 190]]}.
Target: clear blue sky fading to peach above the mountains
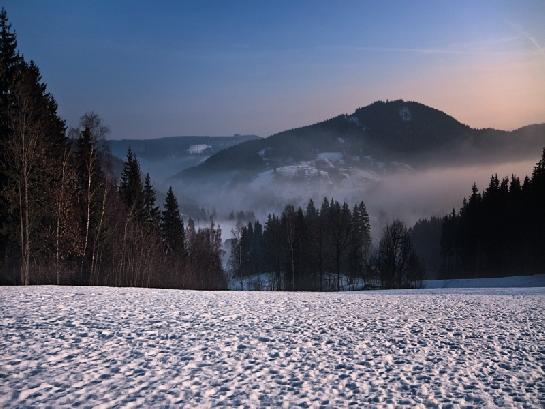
{"points": [[166, 68]]}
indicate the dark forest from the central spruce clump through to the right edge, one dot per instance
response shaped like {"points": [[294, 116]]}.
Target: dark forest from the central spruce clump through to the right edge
{"points": [[500, 232]]}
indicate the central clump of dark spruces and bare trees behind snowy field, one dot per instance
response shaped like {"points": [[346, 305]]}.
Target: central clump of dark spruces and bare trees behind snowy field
{"points": [[324, 249]]}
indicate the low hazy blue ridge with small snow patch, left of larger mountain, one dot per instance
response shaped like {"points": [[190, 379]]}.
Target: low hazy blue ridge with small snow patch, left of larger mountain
{"points": [[164, 157]]}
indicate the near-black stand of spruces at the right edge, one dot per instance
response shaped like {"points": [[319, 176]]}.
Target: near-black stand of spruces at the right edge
{"points": [[500, 231]]}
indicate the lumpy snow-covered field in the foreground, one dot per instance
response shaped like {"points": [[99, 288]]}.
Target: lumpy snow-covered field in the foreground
{"points": [[104, 346]]}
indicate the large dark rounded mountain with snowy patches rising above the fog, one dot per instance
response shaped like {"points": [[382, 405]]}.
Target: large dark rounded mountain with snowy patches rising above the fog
{"points": [[379, 136]]}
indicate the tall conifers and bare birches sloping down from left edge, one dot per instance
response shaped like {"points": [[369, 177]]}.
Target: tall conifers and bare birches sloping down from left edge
{"points": [[64, 216]]}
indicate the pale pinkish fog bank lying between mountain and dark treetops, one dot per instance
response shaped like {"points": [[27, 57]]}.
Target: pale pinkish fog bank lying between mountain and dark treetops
{"points": [[407, 194]]}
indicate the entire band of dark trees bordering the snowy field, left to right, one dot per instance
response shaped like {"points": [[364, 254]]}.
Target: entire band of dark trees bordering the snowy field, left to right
{"points": [[67, 218]]}
